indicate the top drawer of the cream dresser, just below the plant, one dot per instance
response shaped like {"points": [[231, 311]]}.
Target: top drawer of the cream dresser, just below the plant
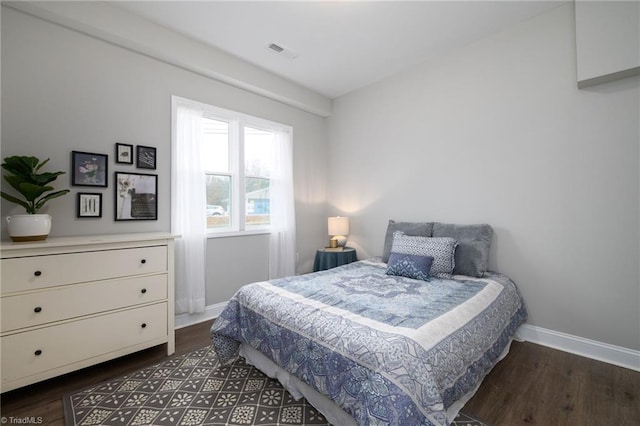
{"points": [[29, 273]]}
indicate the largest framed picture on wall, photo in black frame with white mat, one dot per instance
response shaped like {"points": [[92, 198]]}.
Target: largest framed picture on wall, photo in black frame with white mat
{"points": [[136, 196]]}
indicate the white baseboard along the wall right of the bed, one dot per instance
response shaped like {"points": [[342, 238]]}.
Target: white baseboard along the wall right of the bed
{"points": [[616, 355]]}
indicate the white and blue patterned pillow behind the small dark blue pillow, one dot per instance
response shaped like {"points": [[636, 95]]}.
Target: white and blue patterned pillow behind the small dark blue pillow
{"points": [[441, 249]]}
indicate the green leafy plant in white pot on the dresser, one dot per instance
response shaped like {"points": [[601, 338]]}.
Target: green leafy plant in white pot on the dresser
{"points": [[25, 177]]}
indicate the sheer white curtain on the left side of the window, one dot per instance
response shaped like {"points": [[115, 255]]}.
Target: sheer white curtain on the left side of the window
{"points": [[188, 209]]}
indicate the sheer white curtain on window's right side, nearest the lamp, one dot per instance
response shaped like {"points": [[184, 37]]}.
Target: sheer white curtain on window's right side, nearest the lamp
{"points": [[282, 253]]}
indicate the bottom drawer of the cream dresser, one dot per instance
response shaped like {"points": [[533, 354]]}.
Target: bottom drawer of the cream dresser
{"points": [[37, 351]]}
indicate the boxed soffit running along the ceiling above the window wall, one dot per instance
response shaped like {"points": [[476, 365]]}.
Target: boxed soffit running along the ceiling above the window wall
{"points": [[108, 21]]}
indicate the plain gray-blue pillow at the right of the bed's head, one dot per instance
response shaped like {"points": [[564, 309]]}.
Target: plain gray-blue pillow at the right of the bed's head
{"points": [[472, 253]]}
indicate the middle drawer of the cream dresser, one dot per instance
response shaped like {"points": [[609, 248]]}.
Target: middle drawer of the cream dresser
{"points": [[66, 302]]}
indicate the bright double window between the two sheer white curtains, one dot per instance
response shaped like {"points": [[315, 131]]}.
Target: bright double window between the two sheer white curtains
{"points": [[238, 155]]}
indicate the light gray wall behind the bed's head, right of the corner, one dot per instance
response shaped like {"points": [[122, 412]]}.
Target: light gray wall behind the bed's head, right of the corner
{"points": [[498, 133]]}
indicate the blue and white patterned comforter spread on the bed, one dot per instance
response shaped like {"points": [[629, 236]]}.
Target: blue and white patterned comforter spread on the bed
{"points": [[386, 349]]}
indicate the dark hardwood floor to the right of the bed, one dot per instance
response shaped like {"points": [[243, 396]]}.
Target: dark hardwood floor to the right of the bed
{"points": [[536, 385]]}
